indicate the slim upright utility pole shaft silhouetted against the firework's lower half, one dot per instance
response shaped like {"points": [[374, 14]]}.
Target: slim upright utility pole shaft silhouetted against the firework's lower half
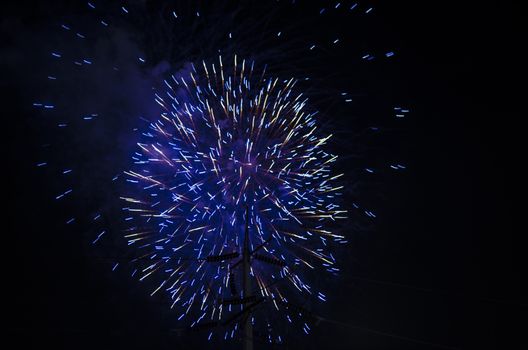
{"points": [[246, 255]]}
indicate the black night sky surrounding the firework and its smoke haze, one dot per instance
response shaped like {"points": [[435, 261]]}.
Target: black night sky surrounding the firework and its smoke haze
{"points": [[441, 267]]}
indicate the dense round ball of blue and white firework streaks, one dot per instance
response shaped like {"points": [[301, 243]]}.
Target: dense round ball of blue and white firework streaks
{"points": [[231, 138]]}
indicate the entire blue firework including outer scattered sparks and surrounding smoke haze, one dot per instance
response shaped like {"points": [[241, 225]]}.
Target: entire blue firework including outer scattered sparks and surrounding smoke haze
{"points": [[229, 149]]}
